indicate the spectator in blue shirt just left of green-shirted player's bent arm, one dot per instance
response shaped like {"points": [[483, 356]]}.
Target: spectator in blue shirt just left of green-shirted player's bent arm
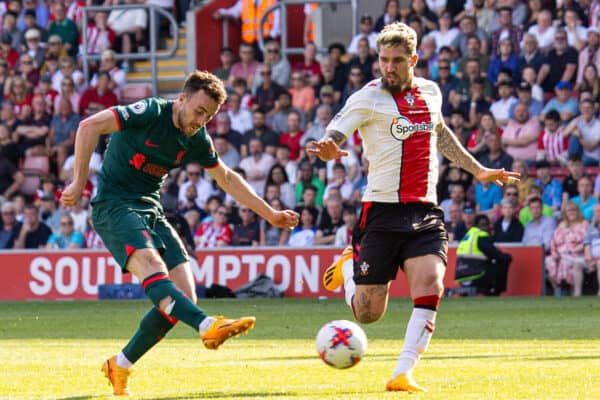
{"points": [[62, 132]]}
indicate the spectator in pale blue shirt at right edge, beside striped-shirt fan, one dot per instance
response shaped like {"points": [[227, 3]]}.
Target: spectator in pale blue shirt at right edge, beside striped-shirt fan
{"points": [[584, 134]]}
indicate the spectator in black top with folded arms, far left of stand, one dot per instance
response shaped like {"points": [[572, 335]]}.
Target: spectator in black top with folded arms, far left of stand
{"points": [[32, 134]]}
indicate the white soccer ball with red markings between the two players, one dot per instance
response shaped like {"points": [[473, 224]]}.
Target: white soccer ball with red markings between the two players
{"points": [[341, 344]]}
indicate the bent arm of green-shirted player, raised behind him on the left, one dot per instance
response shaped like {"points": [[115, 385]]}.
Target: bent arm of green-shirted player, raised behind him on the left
{"points": [[86, 140]]}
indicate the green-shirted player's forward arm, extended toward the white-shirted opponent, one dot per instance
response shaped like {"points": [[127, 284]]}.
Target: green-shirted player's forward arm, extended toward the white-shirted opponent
{"points": [[236, 186]]}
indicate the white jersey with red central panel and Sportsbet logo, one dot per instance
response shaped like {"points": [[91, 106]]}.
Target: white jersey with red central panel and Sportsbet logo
{"points": [[398, 137]]}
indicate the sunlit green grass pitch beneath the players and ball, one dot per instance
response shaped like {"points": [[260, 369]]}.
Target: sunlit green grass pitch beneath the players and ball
{"points": [[483, 348]]}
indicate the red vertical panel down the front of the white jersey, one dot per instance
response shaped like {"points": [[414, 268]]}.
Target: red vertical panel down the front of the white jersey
{"points": [[416, 149]]}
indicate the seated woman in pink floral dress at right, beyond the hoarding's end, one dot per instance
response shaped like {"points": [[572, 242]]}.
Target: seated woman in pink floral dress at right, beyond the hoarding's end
{"points": [[566, 249]]}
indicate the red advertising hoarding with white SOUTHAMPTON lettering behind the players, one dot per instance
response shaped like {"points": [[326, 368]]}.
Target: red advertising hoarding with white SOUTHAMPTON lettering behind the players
{"points": [[53, 275]]}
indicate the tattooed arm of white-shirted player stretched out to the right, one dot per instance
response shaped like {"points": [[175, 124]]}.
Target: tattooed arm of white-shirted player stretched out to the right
{"points": [[450, 147]]}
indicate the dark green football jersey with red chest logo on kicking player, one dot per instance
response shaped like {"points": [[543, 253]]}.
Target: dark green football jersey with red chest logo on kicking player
{"points": [[146, 147]]}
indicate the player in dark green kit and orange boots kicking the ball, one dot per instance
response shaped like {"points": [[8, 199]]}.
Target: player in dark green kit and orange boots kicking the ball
{"points": [[150, 138]]}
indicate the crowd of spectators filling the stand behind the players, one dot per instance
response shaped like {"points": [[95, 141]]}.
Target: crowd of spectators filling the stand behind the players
{"points": [[521, 91]]}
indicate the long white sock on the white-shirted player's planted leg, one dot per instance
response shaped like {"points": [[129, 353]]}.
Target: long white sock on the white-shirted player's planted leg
{"points": [[418, 335]]}
